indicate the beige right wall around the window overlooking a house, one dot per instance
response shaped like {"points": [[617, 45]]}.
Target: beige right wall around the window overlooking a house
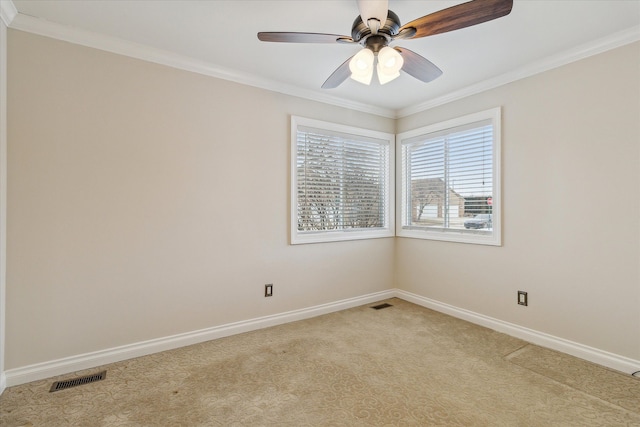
{"points": [[571, 208]]}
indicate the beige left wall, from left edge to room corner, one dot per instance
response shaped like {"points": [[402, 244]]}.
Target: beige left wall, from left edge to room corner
{"points": [[146, 201]]}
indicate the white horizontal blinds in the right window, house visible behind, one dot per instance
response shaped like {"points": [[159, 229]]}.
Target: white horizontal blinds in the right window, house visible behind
{"points": [[450, 174]]}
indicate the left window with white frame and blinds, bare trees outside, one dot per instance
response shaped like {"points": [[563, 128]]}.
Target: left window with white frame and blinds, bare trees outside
{"points": [[340, 182]]}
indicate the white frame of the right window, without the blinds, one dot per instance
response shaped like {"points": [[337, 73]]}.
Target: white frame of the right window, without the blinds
{"points": [[450, 234]]}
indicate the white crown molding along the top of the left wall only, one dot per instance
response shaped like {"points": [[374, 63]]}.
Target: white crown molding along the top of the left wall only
{"points": [[146, 53]]}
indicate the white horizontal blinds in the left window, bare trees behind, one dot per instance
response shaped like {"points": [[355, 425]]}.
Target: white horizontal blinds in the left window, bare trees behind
{"points": [[341, 180]]}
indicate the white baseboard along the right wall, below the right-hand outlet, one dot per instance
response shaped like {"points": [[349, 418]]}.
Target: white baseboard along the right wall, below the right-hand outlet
{"points": [[604, 358]]}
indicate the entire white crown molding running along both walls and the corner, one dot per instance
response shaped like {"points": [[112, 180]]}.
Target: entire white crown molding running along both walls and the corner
{"points": [[30, 24]]}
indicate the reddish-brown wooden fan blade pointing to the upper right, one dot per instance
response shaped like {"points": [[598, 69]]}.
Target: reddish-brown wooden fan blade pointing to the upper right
{"points": [[459, 16]]}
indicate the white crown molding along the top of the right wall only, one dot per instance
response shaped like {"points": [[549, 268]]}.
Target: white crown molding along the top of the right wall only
{"points": [[613, 41]]}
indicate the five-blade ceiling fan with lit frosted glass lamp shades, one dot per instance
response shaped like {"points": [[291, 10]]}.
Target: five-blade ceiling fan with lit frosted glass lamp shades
{"points": [[377, 26]]}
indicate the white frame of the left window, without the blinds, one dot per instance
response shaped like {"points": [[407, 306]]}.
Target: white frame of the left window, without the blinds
{"points": [[302, 237]]}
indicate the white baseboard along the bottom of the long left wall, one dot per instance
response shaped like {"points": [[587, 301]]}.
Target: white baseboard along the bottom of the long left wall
{"points": [[66, 365]]}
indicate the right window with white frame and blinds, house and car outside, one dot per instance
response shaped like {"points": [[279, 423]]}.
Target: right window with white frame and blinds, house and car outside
{"points": [[450, 180]]}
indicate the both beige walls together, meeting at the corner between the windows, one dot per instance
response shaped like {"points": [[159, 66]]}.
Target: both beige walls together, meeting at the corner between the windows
{"points": [[146, 201]]}
